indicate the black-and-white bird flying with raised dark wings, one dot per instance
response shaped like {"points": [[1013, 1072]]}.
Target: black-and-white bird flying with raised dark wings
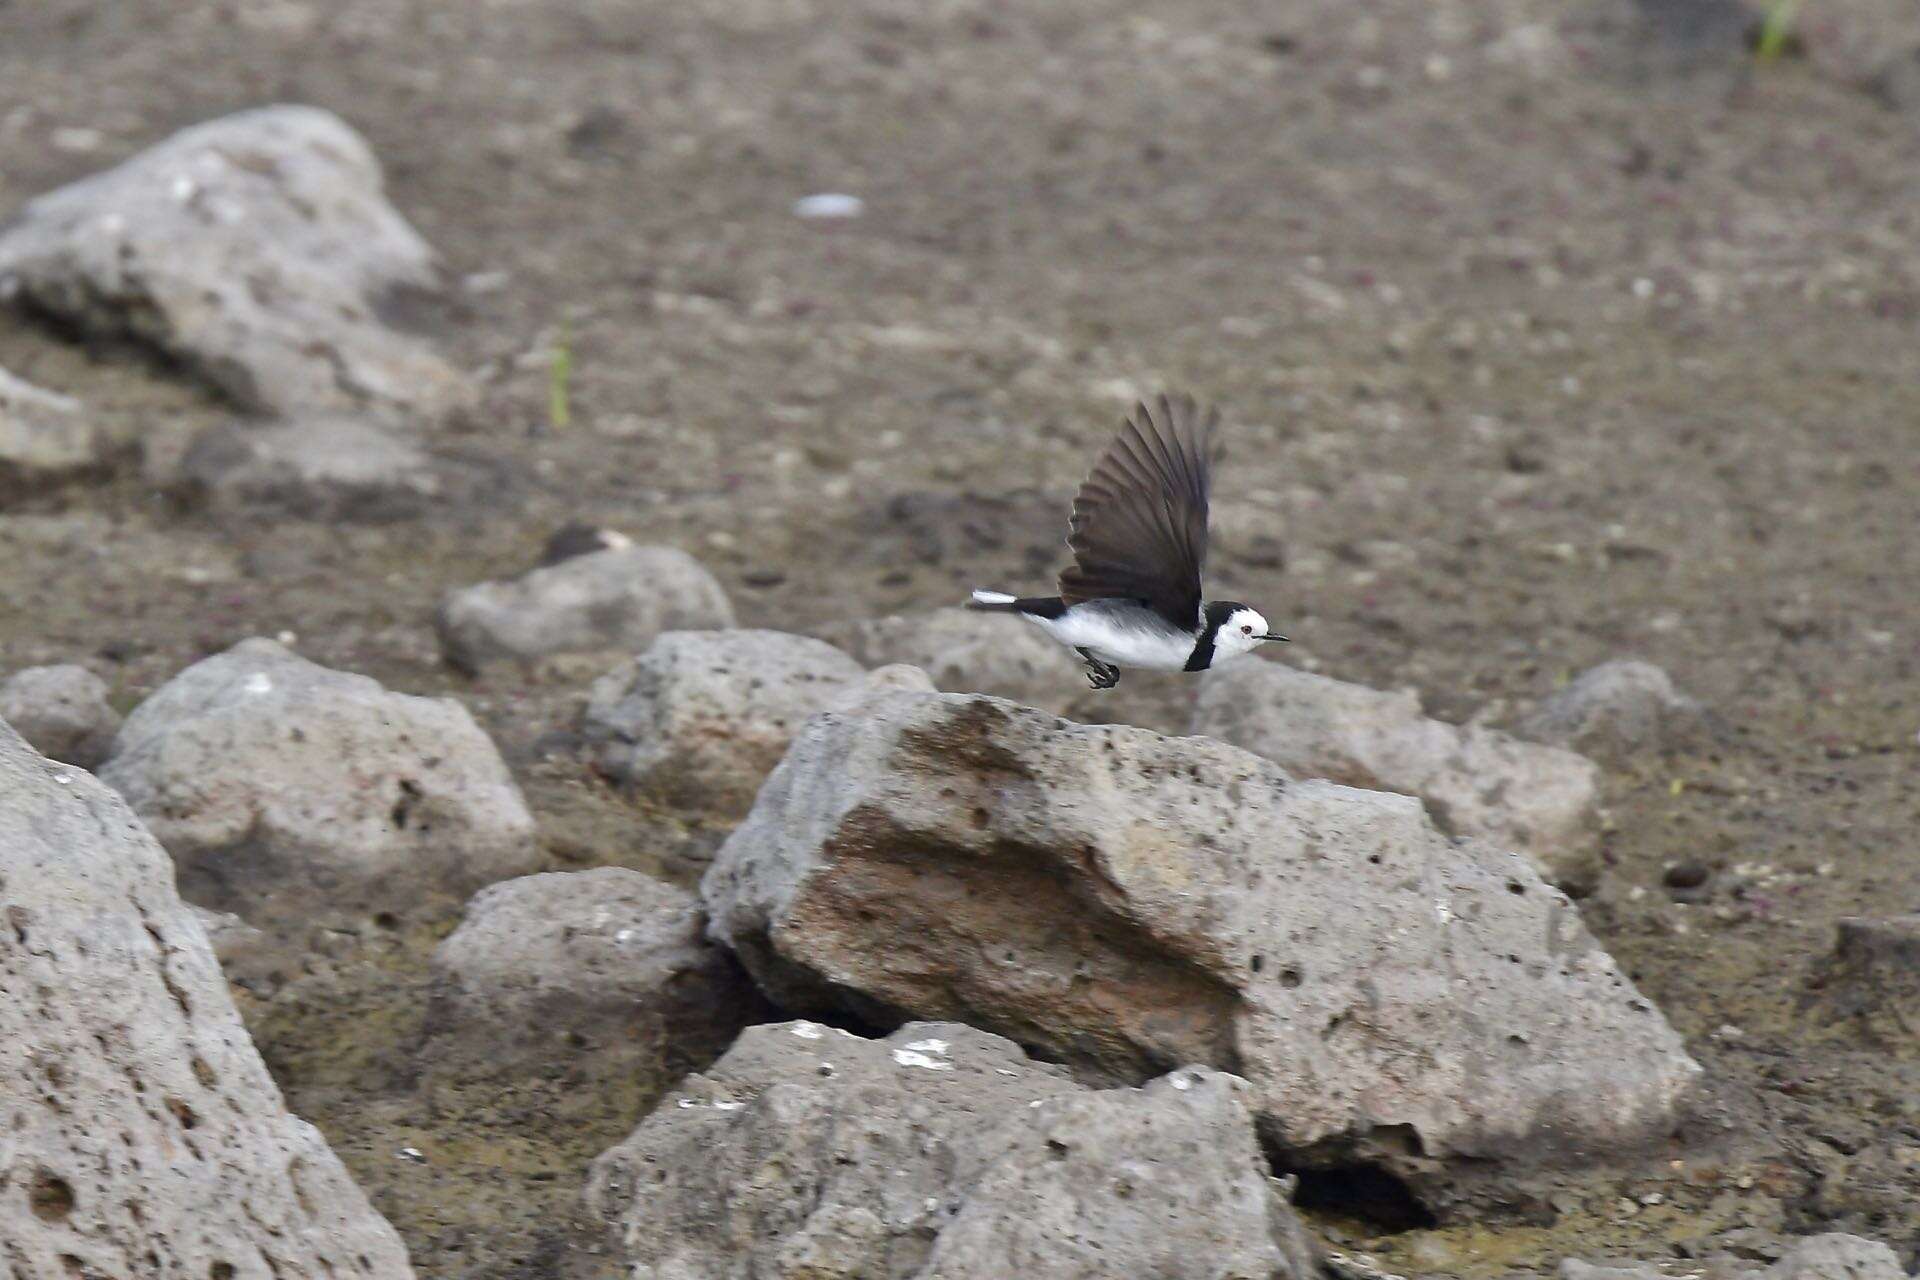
{"points": [[1132, 598]]}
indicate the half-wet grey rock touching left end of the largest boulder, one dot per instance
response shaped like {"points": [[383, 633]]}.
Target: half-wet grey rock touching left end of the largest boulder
{"points": [[608, 966]]}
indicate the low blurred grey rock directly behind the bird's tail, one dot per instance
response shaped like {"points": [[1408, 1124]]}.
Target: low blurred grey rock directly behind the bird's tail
{"points": [[967, 652]]}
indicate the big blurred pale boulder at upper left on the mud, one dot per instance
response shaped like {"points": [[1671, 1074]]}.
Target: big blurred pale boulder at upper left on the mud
{"points": [[260, 250]]}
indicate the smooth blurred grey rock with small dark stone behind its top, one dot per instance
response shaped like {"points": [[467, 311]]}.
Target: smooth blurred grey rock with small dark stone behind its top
{"points": [[615, 600]]}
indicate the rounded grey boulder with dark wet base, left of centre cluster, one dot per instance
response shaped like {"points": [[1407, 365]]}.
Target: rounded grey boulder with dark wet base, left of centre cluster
{"points": [[302, 797]]}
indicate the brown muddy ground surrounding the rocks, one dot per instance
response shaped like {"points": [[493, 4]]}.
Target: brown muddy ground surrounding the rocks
{"points": [[1547, 335]]}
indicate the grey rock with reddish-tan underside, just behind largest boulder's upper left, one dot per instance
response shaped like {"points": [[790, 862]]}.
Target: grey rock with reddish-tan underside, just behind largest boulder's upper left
{"points": [[704, 717]]}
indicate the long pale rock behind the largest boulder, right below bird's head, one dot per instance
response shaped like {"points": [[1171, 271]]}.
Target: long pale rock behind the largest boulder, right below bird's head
{"points": [[1474, 780]]}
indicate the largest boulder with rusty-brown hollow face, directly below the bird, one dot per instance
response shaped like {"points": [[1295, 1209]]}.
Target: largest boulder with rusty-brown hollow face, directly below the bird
{"points": [[1130, 903]]}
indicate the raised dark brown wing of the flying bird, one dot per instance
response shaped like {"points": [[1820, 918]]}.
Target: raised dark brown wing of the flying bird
{"points": [[1140, 521]]}
